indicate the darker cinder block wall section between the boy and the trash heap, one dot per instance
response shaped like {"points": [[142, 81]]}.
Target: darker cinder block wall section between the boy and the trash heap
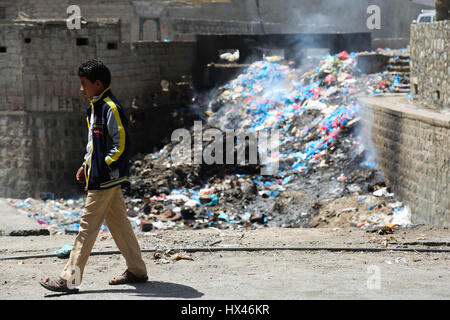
{"points": [[138, 69]]}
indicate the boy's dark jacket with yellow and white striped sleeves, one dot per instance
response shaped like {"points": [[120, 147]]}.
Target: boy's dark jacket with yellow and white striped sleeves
{"points": [[106, 162]]}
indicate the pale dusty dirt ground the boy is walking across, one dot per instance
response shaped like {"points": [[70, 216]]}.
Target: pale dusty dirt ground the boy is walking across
{"points": [[246, 275]]}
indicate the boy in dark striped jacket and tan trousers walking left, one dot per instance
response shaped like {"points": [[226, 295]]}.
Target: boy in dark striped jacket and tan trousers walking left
{"points": [[104, 171]]}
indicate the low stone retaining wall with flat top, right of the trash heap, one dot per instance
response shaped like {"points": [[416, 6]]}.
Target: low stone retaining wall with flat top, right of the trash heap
{"points": [[413, 152]]}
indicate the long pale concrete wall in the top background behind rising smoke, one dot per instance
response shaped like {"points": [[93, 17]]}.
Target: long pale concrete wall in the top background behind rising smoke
{"points": [[293, 16]]}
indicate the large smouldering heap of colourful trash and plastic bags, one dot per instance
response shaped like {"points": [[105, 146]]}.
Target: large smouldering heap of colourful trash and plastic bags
{"points": [[320, 157]]}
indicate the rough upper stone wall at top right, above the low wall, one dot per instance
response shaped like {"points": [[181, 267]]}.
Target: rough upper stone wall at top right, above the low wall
{"points": [[430, 64]]}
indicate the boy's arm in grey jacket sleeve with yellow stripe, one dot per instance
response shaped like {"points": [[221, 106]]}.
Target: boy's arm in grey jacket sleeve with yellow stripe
{"points": [[116, 132]]}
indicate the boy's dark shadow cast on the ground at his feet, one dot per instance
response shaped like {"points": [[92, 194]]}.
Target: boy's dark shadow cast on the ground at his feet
{"points": [[150, 289]]}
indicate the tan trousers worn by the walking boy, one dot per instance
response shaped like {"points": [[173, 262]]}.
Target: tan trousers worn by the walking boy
{"points": [[103, 205]]}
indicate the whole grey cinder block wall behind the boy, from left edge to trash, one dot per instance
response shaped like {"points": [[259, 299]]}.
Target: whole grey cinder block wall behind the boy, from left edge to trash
{"points": [[43, 130]]}
